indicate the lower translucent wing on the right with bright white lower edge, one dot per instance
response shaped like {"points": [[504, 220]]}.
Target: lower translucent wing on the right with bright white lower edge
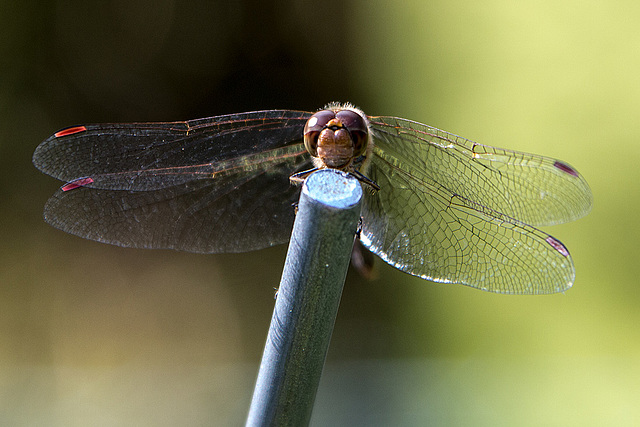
{"points": [[424, 230]]}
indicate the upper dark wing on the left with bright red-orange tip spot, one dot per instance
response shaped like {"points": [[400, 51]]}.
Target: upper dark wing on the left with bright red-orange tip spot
{"points": [[104, 149]]}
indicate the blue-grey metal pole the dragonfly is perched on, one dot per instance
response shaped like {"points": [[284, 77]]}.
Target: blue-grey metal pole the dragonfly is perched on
{"points": [[307, 301]]}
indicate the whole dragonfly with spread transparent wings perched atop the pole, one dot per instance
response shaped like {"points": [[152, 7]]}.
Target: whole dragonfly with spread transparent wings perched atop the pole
{"points": [[437, 206]]}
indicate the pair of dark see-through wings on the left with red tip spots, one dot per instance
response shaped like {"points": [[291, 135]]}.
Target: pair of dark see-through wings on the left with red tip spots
{"points": [[210, 185]]}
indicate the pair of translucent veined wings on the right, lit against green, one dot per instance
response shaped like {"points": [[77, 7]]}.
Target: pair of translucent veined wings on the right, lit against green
{"points": [[457, 210]]}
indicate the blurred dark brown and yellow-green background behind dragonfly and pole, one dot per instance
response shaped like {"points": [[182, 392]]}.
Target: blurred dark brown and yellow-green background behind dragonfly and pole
{"points": [[97, 335]]}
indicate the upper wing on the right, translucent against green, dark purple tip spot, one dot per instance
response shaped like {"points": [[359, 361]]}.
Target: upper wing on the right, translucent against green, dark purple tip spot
{"points": [[534, 189]]}
